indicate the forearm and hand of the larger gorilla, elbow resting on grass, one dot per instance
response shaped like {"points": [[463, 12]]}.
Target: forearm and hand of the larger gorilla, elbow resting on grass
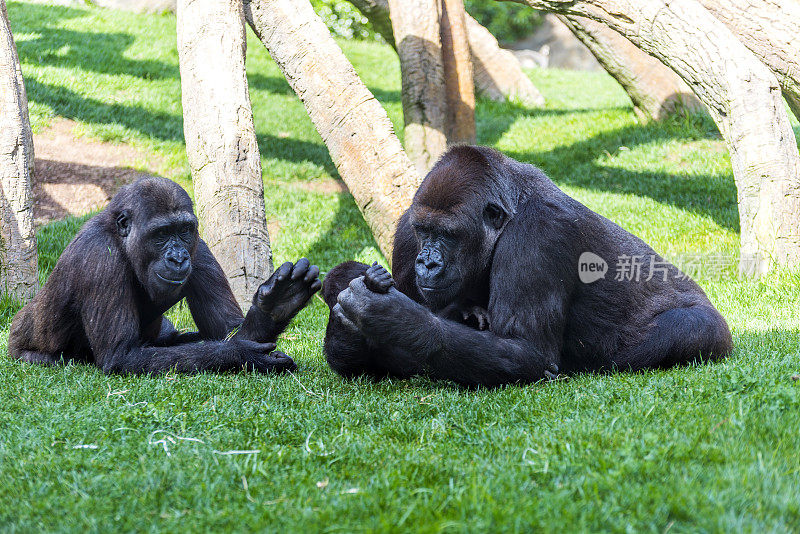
{"points": [[411, 339]]}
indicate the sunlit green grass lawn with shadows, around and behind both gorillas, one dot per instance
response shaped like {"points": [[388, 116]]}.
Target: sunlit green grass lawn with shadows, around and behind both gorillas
{"points": [[710, 448]]}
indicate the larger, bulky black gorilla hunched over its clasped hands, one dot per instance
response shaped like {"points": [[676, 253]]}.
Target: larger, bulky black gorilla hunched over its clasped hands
{"points": [[488, 289]]}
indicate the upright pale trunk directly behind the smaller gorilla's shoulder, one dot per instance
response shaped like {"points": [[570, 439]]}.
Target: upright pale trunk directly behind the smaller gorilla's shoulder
{"points": [[221, 141]]}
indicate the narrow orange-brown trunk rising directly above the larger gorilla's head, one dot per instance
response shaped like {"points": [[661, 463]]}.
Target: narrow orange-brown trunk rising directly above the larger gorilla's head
{"points": [[459, 89]]}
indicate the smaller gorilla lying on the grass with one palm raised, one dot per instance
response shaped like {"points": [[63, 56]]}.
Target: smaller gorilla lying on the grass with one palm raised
{"points": [[104, 300]]}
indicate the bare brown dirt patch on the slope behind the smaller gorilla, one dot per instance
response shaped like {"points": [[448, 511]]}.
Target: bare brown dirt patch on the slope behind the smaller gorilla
{"points": [[74, 176]]}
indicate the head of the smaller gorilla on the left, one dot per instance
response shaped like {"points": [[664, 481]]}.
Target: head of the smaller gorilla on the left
{"points": [[158, 230]]}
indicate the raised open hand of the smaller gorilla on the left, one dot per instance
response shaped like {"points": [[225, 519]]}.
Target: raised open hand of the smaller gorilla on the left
{"points": [[288, 290]]}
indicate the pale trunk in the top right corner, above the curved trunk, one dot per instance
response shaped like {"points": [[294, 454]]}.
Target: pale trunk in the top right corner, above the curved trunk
{"points": [[771, 30]]}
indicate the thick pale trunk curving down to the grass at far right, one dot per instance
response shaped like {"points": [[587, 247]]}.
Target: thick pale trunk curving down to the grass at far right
{"points": [[743, 98]]}
